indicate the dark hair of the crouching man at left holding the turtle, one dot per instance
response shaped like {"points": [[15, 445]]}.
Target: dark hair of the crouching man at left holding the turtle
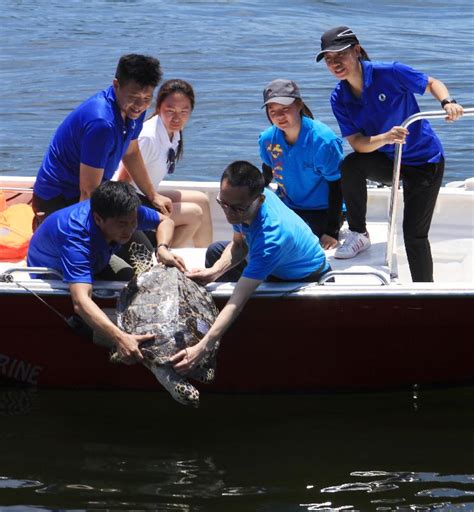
{"points": [[114, 199]]}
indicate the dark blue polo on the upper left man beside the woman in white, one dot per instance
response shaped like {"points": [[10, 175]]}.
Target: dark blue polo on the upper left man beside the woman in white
{"points": [[94, 134]]}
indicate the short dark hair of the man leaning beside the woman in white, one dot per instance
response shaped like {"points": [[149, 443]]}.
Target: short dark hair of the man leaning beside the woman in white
{"points": [[144, 70]]}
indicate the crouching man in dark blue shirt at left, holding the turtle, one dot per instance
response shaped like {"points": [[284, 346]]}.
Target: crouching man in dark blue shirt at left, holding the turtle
{"points": [[79, 241]]}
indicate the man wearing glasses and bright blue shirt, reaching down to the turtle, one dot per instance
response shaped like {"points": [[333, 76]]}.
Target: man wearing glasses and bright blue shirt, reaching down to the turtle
{"points": [[270, 243]]}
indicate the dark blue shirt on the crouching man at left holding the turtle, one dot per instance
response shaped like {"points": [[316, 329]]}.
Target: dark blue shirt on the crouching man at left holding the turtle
{"points": [[70, 241]]}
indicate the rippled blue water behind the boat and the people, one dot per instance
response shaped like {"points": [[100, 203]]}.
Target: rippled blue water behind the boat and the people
{"points": [[55, 54]]}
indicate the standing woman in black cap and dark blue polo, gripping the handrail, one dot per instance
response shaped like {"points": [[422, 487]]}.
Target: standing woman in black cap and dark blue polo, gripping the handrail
{"points": [[370, 103]]}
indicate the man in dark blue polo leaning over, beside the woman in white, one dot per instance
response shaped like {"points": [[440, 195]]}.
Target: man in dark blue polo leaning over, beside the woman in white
{"points": [[89, 144]]}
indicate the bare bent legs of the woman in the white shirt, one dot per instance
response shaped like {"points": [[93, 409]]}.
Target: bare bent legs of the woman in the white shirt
{"points": [[193, 203]]}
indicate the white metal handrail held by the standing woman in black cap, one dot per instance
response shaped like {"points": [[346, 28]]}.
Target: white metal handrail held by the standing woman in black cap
{"points": [[397, 161]]}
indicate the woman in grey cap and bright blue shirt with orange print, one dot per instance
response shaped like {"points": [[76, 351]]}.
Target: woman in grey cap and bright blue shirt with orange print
{"points": [[304, 156]]}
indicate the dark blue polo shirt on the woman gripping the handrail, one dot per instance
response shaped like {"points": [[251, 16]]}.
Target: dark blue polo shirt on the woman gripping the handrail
{"points": [[388, 98]]}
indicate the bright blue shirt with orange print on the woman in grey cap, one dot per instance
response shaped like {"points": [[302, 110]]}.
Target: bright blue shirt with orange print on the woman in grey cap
{"points": [[302, 170]]}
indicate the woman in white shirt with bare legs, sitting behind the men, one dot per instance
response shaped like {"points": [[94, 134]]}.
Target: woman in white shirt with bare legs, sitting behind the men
{"points": [[161, 145]]}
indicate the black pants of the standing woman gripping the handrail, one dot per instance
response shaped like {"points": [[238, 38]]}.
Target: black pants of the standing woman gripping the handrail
{"points": [[421, 186]]}
